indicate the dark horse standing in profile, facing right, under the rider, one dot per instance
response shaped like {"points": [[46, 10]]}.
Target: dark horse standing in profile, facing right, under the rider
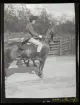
{"points": [[29, 53]]}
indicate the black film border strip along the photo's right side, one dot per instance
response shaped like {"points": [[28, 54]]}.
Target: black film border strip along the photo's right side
{"points": [[77, 49]]}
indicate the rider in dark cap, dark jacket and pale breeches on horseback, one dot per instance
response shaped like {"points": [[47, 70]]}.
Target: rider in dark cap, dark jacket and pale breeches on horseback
{"points": [[32, 33]]}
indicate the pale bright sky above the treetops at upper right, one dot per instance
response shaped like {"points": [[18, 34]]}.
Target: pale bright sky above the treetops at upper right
{"points": [[56, 9]]}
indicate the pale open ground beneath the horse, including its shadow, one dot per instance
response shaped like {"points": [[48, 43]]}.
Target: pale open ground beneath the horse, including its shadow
{"points": [[59, 79]]}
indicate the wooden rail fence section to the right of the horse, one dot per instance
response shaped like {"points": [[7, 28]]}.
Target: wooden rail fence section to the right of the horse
{"points": [[63, 46]]}
